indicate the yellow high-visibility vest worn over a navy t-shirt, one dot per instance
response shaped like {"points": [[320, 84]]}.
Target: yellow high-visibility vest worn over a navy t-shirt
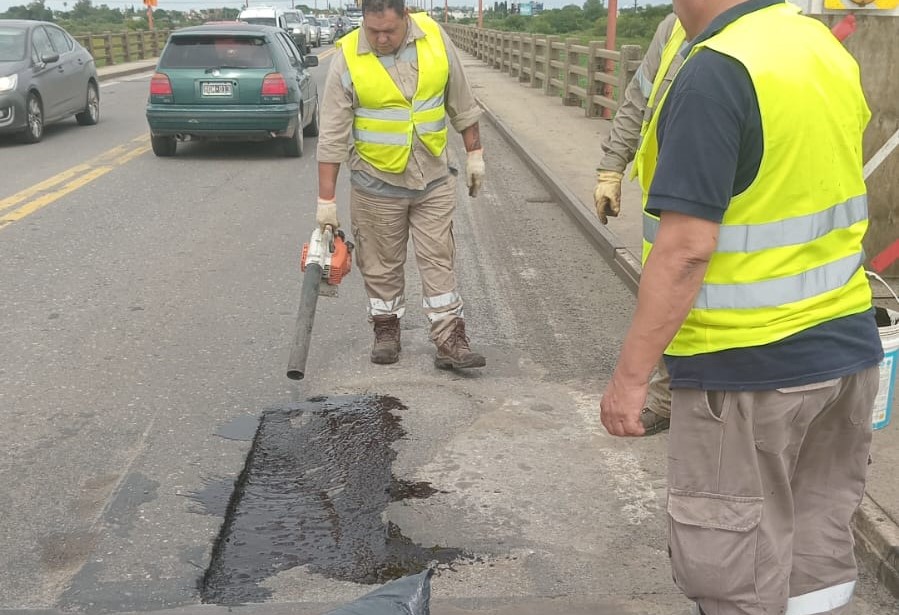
{"points": [[789, 253]]}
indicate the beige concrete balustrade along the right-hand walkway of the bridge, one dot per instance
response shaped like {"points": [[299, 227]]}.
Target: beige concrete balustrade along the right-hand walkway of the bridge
{"points": [[587, 76]]}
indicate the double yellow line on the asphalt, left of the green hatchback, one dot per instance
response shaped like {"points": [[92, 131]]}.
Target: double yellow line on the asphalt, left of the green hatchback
{"points": [[42, 194]]}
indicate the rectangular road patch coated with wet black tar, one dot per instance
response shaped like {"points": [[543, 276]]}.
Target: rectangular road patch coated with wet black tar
{"points": [[316, 482]]}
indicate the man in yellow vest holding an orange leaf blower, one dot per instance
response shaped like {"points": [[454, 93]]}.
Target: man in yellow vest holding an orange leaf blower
{"points": [[391, 93]]}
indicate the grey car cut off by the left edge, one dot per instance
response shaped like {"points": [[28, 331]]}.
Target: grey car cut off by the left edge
{"points": [[45, 77]]}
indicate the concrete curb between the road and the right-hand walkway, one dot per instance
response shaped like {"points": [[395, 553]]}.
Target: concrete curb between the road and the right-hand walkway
{"points": [[876, 534]]}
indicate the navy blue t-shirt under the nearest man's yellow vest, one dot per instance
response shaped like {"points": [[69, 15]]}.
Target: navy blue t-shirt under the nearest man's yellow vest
{"points": [[710, 149]]}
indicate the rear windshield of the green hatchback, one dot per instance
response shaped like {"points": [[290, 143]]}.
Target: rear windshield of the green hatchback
{"points": [[217, 51]]}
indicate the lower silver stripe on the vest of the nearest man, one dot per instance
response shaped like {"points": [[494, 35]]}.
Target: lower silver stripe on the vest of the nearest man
{"points": [[780, 291]]}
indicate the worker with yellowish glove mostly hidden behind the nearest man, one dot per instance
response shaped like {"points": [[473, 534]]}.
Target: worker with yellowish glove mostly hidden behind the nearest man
{"points": [[650, 82]]}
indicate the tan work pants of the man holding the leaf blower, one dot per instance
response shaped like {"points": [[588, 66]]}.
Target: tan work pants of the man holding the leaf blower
{"points": [[381, 228]]}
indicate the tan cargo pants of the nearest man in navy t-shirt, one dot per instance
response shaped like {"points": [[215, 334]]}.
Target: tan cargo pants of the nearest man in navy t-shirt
{"points": [[761, 489]]}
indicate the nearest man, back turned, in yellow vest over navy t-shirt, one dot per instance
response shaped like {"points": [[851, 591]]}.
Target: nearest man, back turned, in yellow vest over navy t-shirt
{"points": [[754, 290]]}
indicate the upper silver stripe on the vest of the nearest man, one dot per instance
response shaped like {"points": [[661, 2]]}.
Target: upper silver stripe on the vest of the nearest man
{"points": [[783, 233]]}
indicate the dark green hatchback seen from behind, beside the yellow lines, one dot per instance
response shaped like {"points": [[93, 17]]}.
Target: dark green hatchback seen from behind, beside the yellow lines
{"points": [[234, 82]]}
